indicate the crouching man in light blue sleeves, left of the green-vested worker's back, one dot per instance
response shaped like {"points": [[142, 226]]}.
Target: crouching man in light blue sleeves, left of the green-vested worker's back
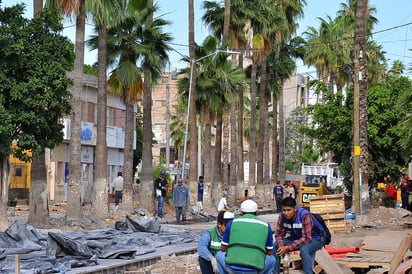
{"points": [[209, 243]]}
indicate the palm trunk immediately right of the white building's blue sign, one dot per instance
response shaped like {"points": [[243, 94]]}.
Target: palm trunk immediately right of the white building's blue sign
{"points": [[100, 202]]}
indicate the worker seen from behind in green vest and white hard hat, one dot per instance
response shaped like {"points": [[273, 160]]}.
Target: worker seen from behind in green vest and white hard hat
{"points": [[247, 243]]}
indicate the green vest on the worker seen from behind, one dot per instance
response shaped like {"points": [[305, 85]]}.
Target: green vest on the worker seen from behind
{"points": [[247, 242]]}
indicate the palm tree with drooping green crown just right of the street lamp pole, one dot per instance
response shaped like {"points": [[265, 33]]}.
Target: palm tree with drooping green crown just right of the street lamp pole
{"points": [[216, 82]]}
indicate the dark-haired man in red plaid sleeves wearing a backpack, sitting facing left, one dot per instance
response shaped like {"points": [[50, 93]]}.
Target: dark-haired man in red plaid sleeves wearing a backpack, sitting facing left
{"points": [[297, 229]]}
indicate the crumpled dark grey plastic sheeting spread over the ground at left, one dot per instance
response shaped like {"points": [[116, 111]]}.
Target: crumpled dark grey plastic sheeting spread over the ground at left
{"points": [[48, 253]]}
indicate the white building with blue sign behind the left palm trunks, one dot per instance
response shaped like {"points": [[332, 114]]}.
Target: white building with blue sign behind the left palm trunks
{"points": [[58, 165]]}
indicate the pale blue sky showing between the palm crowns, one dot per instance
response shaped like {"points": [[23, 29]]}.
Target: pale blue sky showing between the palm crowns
{"points": [[393, 31]]}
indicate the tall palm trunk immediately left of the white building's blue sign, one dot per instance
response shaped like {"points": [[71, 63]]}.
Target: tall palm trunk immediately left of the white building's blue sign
{"points": [[74, 201]]}
